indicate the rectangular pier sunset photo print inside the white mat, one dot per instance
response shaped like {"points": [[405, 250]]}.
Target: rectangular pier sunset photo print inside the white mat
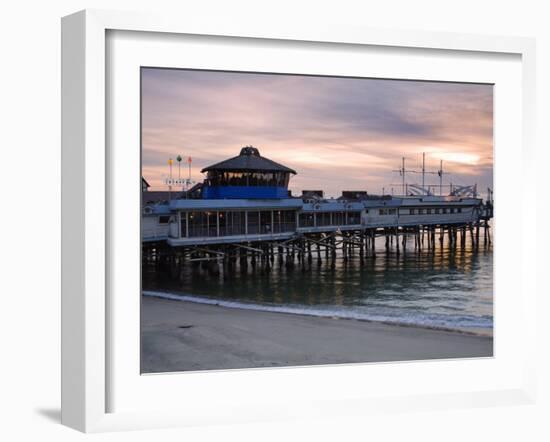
{"points": [[298, 220]]}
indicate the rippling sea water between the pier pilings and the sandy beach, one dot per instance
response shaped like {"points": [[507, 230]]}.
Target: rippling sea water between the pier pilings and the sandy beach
{"points": [[446, 288]]}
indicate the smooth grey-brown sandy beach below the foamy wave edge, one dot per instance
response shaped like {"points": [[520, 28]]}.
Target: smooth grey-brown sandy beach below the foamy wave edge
{"points": [[184, 336]]}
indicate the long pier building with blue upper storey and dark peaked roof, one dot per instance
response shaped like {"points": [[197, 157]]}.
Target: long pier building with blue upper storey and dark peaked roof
{"points": [[244, 203]]}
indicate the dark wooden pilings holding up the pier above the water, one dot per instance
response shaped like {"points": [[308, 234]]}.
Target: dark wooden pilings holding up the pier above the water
{"points": [[302, 250]]}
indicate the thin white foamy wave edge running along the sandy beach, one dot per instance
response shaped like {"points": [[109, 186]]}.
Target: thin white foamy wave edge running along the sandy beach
{"points": [[288, 310]]}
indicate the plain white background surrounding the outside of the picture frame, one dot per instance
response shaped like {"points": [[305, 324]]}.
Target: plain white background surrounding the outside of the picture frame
{"points": [[30, 221]]}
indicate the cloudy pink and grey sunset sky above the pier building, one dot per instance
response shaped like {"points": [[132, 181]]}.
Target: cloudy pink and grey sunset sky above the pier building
{"points": [[337, 133]]}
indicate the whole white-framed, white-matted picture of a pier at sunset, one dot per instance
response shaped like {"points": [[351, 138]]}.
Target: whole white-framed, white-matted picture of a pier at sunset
{"points": [[291, 222]]}
